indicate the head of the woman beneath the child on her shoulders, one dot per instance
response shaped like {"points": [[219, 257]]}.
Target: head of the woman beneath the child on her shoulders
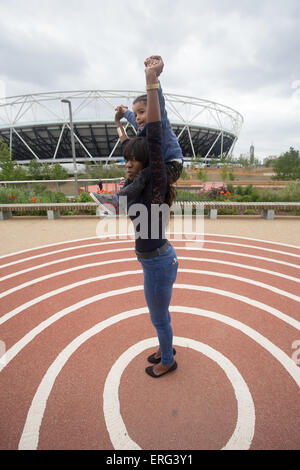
{"points": [[136, 156]]}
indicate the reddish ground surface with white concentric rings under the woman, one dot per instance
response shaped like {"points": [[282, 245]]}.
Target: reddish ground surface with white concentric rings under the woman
{"points": [[75, 334]]}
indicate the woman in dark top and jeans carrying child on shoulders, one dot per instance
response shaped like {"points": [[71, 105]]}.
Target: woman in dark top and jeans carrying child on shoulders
{"points": [[155, 253]]}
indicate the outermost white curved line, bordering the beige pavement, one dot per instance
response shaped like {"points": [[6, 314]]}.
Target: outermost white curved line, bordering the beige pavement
{"points": [[103, 237]]}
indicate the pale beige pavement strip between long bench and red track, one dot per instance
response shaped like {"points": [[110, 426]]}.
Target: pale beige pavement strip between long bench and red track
{"points": [[21, 233]]}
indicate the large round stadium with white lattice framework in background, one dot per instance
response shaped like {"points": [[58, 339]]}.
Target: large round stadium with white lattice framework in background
{"points": [[38, 125]]}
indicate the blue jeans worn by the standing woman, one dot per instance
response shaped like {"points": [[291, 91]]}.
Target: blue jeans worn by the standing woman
{"points": [[159, 276]]}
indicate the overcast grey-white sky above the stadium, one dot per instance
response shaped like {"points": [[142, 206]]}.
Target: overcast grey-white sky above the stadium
{"points": [[243, 54]]}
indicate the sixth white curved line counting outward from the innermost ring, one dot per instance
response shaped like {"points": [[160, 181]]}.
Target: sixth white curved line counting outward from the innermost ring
{"points": [[97, 253]]}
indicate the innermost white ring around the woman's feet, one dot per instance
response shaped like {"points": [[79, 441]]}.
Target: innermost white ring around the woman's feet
{"points": [[243, 434]]}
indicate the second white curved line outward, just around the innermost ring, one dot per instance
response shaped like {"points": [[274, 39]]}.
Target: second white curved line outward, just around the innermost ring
{"points": [[30, 434]]}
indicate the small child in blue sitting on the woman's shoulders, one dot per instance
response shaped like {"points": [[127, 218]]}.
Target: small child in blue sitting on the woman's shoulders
{"points": [[170, 147]]}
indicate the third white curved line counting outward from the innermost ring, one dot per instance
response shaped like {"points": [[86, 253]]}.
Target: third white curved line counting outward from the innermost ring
{"points": [[17, 347]]}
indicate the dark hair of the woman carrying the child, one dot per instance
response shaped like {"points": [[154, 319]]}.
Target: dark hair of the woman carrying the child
{"points": [[137, 148]]}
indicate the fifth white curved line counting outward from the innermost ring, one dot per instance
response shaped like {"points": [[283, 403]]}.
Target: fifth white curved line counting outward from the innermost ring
{"points": [[120, 260]]}
